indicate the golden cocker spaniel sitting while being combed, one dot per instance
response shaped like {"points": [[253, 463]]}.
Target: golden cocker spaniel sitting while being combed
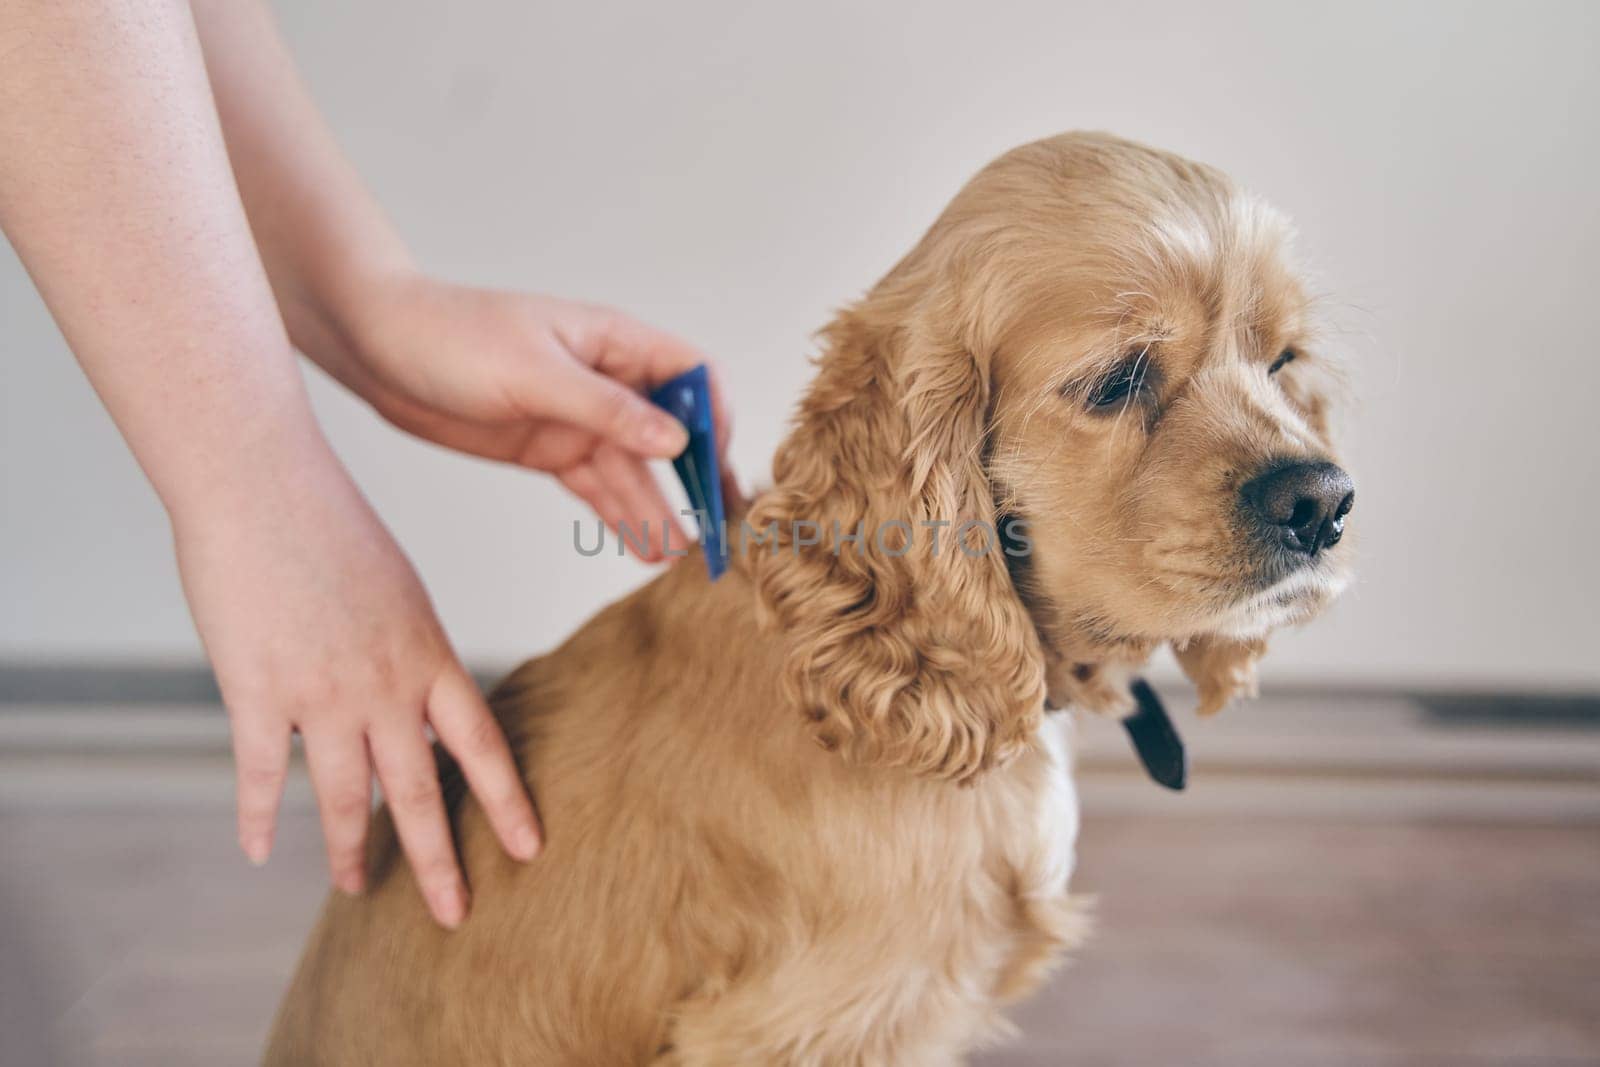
{"points": [[817, 812]]}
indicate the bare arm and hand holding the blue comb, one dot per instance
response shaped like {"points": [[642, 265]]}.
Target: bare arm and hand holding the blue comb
{"points": [[521, 378]]}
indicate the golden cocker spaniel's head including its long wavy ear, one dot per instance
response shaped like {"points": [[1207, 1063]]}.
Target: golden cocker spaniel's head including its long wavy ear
{"points": [[1086, 417]]}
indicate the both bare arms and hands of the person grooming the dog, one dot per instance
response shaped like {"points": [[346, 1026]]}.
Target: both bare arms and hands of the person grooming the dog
{"points": [[191, 223]]}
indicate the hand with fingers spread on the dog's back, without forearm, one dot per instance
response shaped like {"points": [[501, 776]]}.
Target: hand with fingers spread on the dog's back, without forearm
{"points": [[316, 621]]}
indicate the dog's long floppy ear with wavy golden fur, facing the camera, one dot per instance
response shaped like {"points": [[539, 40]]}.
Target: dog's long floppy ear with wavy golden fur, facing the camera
{"points": [[898, 653]]}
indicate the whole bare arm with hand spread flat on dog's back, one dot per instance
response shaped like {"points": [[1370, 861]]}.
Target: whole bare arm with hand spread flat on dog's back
{"points": [[118, 196]]}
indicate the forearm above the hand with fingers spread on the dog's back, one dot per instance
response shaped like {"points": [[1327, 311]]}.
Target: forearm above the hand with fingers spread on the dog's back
{"points": [[118, 196]]}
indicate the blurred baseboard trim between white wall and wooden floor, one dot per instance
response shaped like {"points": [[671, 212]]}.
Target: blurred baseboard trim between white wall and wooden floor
{"points": [[111, 737]]}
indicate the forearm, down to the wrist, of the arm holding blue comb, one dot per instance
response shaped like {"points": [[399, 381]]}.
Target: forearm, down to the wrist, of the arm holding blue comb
{"points": [[322, 236]]}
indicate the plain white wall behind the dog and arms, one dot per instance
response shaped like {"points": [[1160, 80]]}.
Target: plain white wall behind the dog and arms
{"points": [[735, 172]]}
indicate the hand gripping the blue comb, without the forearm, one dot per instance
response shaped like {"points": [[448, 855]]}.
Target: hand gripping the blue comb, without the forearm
{"points": [[529, 380]]}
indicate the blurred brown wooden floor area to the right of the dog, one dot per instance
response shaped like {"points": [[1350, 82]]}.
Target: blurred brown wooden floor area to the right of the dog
{"points": [[1327, 943]]}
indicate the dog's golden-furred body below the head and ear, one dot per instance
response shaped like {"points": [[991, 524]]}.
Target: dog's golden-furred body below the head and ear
{"points": [[713, 885]]}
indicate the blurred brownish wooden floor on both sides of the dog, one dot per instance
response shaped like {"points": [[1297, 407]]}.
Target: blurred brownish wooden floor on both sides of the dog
{"points": [[143, 941]]}
